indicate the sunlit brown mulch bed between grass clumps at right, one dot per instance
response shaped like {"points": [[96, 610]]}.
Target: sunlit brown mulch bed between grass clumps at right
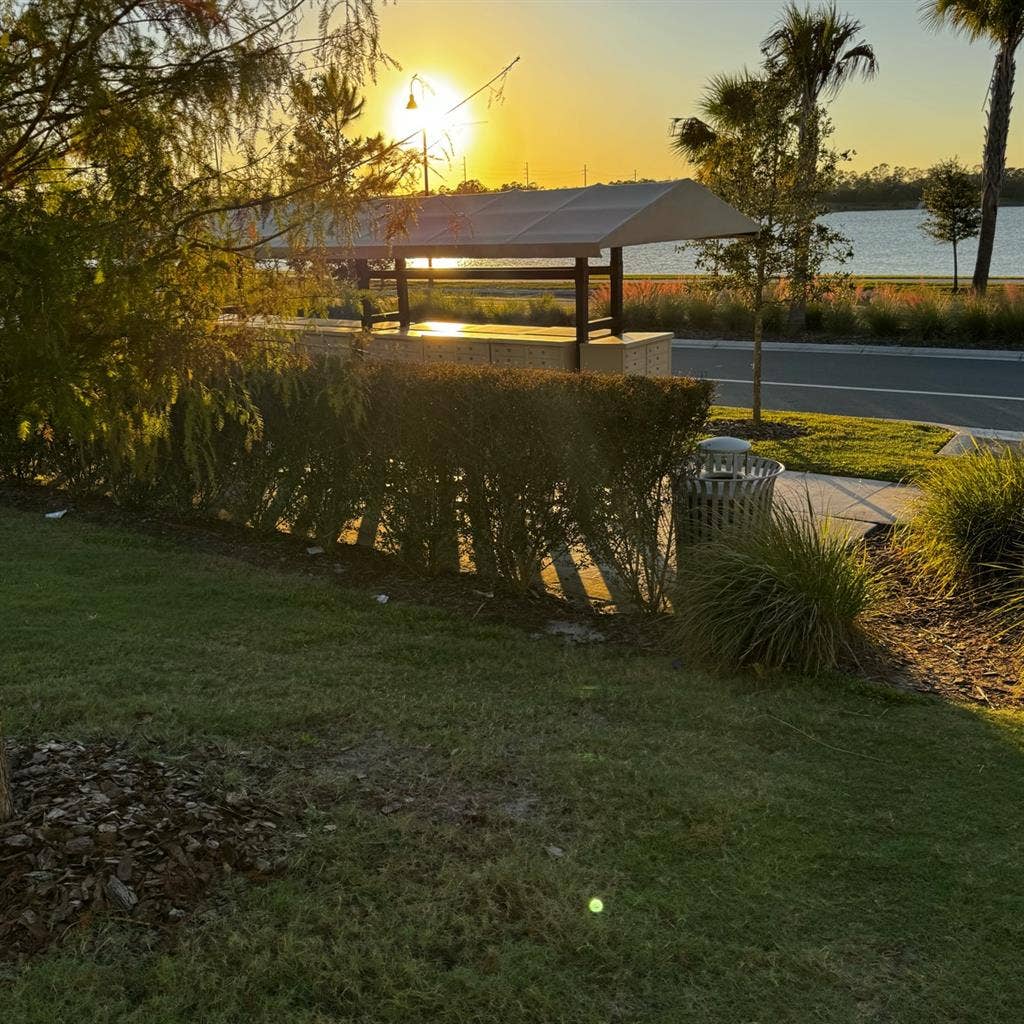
{"points": [[948, 647]]}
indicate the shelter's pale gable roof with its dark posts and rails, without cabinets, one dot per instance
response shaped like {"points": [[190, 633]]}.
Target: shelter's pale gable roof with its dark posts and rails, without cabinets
{"points": [[565, 225]]}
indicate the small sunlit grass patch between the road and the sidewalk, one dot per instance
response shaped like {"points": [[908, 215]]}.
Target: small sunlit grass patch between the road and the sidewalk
{"points": [[849, 446]]}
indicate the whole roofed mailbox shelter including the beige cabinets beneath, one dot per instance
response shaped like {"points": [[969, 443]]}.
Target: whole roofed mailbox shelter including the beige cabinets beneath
{"points": [[525, 227]]}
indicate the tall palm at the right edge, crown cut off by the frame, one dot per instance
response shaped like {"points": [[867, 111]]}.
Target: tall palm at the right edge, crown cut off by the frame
{"points": [[1003, 23]]}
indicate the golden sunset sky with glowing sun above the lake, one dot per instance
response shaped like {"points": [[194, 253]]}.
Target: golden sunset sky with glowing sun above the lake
{"points": [[600, 81]]}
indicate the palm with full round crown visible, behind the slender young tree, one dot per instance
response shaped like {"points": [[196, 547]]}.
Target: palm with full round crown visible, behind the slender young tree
{"points": [[817, 52]]}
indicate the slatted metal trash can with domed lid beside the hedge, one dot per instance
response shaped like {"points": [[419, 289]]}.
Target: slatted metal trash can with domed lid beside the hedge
{"points": [[724, 487]]}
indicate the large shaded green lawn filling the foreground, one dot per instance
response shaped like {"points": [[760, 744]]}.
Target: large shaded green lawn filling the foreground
{"points": [[765, 851]]}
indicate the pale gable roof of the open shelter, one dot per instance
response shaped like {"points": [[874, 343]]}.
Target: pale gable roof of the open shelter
{"points": [[526, 224]]}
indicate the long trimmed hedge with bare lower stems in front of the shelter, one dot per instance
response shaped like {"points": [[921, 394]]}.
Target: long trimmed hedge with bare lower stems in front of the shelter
{"points": [[500, 466]]}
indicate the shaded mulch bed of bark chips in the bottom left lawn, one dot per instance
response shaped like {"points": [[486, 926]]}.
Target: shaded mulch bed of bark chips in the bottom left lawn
{"points": [[101, 830]]}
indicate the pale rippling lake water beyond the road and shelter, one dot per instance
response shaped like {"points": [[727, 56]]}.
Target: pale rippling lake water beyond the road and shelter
{"points": [[885, 242]]}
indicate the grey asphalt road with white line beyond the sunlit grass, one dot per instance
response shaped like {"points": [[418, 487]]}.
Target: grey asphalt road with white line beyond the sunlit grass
{"points": [[963, 391]]}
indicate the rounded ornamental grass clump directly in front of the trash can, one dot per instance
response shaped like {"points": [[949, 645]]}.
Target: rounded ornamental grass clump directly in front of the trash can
{"points": [[793, 594]]}
